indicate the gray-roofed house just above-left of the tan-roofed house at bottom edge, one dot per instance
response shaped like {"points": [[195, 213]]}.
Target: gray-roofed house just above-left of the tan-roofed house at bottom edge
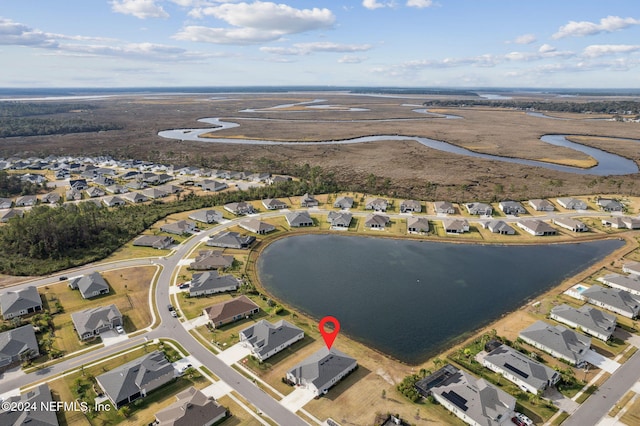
{"points": [[136, 379]]}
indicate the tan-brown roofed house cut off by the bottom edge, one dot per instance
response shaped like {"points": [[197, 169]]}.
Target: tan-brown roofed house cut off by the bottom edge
{"points": [[192, 408]]}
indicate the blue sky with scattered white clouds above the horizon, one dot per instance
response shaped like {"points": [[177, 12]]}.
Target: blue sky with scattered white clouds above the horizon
{"points": [[447, 43]]}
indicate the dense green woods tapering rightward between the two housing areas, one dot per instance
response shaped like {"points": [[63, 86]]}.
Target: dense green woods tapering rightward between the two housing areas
{"points": [[49, 239]]}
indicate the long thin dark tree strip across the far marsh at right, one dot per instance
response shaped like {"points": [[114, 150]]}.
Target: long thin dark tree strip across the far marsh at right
{"points": [[600, 107]]}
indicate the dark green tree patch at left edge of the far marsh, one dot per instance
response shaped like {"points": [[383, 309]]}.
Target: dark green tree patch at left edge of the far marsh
{"points": [[10, 126]]}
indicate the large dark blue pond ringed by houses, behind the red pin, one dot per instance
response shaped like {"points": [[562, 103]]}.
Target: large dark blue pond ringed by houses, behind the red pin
{"points": [[411, 299]]}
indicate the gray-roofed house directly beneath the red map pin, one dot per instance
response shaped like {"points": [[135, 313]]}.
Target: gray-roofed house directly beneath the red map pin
{"points": [[322, 370]]}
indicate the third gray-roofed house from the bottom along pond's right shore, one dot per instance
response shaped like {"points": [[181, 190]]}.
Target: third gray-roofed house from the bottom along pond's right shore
{"points": [[558, 341]]}
